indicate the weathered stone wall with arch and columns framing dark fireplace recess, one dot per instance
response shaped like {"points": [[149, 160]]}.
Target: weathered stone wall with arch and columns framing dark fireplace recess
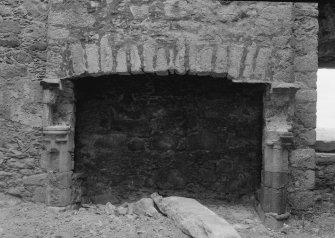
{"points": [[270, 43]]}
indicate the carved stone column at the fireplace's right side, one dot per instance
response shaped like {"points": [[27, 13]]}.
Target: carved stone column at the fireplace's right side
{"points": [[277, 142]]}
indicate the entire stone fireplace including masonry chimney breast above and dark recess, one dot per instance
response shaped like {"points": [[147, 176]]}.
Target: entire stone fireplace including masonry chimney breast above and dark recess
{"points": [[211, 106]]}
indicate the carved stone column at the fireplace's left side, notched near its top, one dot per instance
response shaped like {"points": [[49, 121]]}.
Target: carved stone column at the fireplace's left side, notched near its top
{"points": [[58, 145]]}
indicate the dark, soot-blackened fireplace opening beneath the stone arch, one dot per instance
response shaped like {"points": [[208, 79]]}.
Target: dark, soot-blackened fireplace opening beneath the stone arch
{"points": [[191, 136]]}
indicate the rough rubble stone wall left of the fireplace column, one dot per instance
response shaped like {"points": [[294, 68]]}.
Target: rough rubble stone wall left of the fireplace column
{"points": [[23, 47]]}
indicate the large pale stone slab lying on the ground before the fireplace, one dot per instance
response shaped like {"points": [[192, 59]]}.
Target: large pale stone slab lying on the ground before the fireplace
{"points": [[193, 218]]}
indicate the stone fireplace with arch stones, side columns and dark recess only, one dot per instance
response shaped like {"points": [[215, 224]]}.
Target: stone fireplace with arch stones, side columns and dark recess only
{"points": [[179, 119]]}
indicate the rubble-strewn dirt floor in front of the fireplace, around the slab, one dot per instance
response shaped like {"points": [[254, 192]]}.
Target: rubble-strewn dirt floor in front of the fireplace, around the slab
{"points": [[23, 219]]}
